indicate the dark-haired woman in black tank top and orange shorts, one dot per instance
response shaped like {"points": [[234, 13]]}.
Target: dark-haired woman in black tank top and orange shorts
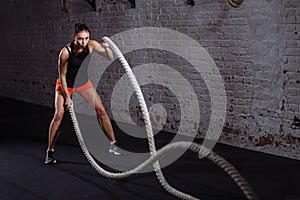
{"points": [[70, 61]]}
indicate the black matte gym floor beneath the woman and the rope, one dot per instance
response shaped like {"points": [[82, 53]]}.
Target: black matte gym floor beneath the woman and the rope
{"points": [[24, 176]]}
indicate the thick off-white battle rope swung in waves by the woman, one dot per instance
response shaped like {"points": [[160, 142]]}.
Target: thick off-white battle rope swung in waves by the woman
{"points": [[155, 155]]}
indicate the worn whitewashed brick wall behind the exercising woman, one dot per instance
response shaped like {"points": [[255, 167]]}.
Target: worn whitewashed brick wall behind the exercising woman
{"points": [[255, 47]]}
